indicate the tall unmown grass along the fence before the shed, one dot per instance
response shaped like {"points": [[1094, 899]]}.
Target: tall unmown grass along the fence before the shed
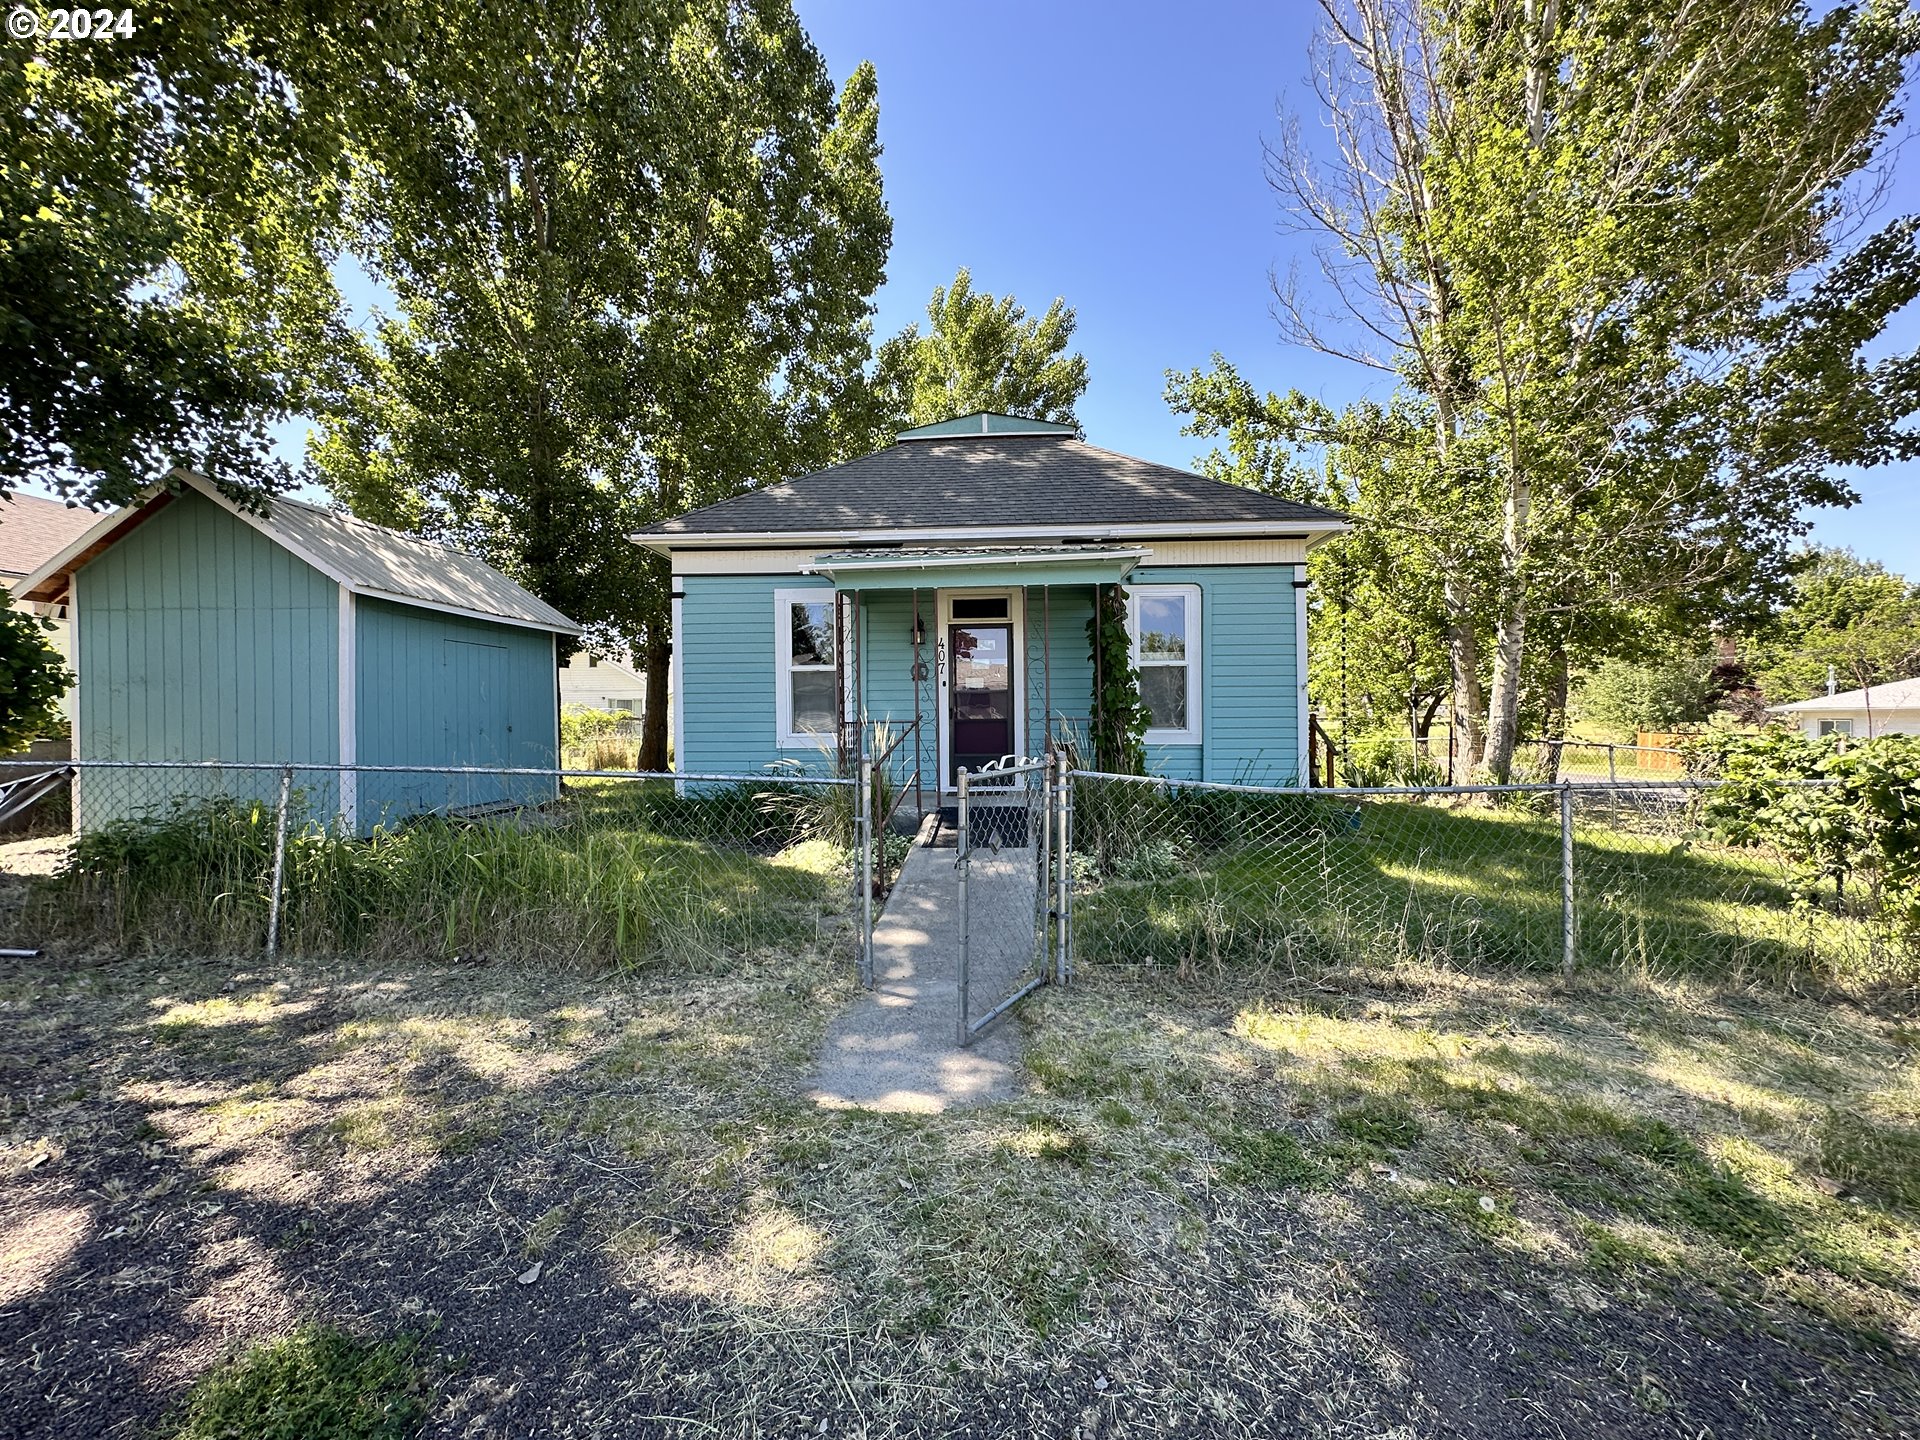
{"points": [[615, 873]]}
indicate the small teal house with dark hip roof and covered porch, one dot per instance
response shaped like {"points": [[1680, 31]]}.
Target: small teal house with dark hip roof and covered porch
{"points": [[949, 581]]}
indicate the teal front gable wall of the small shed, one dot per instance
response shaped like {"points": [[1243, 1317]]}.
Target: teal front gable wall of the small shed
{"points": [[203, 640]]}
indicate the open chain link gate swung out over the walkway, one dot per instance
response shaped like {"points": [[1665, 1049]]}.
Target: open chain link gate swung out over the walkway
{"points": [[1009, 830]]}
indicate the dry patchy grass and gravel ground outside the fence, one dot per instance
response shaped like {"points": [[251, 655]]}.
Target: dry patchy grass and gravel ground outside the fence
{"points": [[1385, 1203]]}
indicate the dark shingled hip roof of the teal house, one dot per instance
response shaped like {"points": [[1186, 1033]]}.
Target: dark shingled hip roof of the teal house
{"points": [[990, 483]]}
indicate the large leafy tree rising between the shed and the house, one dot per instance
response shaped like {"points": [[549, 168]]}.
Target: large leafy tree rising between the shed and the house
{"points": [[633, 249]]}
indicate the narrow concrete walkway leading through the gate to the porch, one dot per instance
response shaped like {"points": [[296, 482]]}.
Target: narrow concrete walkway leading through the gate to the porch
{"points": [[894, 1049]]}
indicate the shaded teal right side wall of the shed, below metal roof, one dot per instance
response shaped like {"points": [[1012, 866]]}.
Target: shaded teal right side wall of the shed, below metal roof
{"points": [[443, 690]]}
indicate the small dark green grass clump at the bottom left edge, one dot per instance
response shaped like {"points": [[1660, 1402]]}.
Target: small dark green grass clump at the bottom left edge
{"points": [[318, 1383]]}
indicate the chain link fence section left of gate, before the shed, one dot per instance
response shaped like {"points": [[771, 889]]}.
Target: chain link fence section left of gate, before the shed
{"points": [[575, 867]]}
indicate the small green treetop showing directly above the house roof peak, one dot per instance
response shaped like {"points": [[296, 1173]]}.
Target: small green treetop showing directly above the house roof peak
{"points": [[978, 354]]}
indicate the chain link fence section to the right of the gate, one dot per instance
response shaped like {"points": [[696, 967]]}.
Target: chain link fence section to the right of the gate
{"points": [[1193, 878]]}
